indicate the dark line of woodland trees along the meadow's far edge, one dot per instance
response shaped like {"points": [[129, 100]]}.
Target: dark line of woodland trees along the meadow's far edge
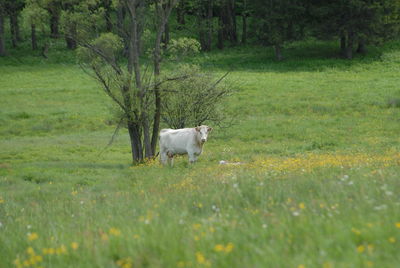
{"points": [[219, 23]]}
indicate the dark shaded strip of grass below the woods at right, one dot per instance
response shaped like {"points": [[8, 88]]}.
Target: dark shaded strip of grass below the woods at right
{"points": [[298, 57]]}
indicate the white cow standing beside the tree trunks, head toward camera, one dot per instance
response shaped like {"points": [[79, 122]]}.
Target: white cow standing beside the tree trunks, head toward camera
{"points": [[188, 141]]}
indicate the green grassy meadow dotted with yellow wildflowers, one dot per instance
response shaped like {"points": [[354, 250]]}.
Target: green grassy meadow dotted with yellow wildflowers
{"points": [[318, 184]]}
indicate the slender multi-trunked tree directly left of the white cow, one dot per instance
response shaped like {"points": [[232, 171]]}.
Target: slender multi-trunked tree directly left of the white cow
{"points": [[136, 93]]}
